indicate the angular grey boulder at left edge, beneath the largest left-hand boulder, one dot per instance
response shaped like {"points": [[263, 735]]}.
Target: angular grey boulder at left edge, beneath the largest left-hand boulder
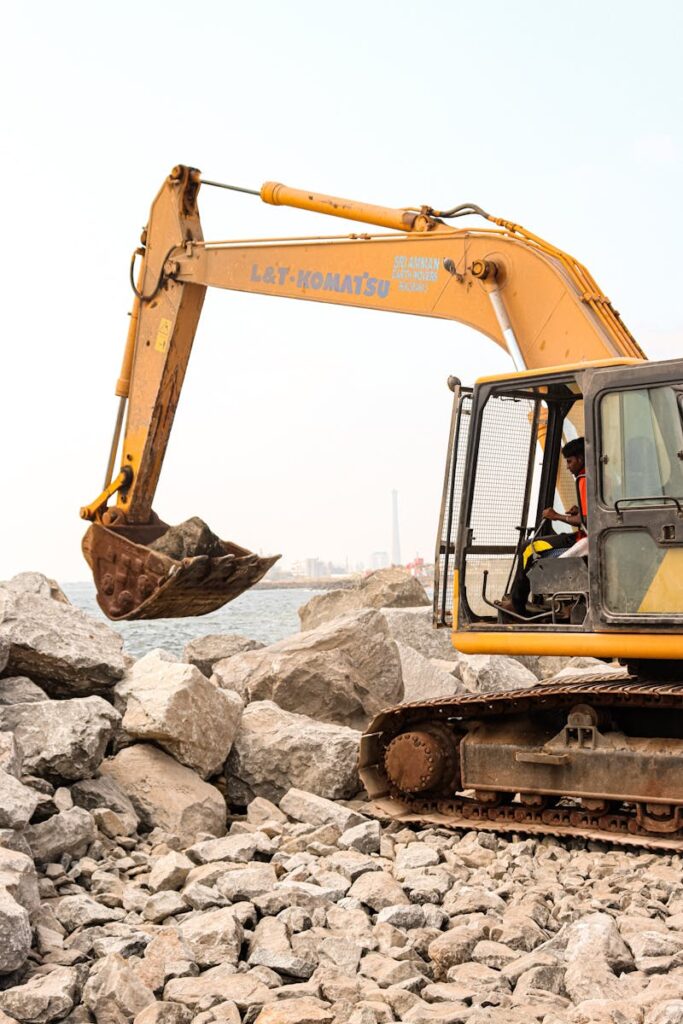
{"points": [[65, 739]]}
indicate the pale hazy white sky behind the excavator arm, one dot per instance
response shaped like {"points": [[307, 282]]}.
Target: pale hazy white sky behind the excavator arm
{"points": [[297, 420]]}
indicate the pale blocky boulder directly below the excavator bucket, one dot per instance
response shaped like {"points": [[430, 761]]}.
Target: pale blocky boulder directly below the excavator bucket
{"points": [[176, 706]]}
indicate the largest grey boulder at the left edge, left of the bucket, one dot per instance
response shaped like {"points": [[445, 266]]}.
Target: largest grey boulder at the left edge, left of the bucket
{"points": [[59, 647]]}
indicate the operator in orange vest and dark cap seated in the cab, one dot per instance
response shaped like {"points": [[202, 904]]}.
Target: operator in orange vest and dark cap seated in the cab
{"points": [[553, 545]]}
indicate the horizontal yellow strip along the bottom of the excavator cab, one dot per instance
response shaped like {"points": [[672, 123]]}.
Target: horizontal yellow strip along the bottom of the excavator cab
{"points": [[623, 646]]}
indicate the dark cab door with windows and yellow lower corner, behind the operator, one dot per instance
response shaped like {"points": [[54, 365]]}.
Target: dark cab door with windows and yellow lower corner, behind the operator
{"points": [[635, 488]]}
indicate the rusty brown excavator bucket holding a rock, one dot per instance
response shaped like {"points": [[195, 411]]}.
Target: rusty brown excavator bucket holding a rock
{"points": [[134, 581]]}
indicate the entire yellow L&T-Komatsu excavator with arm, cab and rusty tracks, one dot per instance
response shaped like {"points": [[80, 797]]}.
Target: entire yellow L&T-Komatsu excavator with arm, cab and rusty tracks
{"points": [[597, 755]]}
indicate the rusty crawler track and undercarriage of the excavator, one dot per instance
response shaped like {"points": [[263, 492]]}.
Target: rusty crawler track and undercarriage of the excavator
{"points": [[591, 757]]}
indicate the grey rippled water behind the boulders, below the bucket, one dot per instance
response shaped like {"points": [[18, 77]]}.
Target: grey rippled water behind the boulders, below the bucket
{"points": [[263, 615]]}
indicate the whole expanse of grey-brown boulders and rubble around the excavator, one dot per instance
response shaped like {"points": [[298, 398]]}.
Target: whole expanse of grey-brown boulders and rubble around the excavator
{"points": [[184, 841]]}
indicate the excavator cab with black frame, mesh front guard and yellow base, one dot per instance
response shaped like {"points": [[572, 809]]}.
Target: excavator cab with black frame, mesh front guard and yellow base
{"points": [[622, 598]]}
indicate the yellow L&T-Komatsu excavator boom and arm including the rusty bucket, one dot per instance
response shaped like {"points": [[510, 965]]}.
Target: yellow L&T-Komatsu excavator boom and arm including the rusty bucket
{"points": [[529, 297]]}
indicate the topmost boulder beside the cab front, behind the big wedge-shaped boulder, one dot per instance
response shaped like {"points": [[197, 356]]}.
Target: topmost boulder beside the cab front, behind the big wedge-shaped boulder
{"points": [[394, 588]]}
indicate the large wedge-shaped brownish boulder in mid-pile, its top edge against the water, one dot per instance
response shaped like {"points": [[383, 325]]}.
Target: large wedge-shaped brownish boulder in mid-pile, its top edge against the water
{"points": [[345, 672]]}
